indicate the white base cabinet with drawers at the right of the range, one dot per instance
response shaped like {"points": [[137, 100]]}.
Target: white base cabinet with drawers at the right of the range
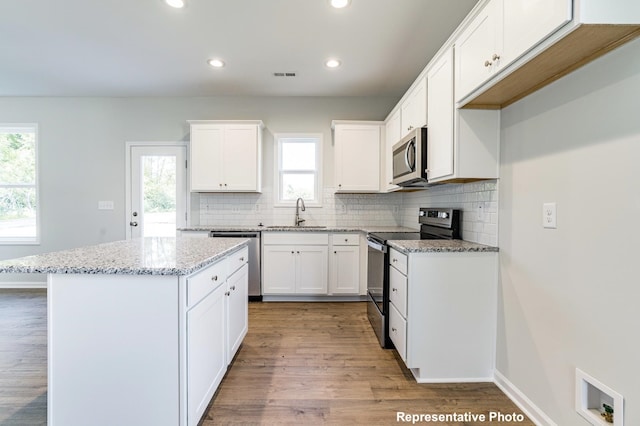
{"points": [[443, 324]]}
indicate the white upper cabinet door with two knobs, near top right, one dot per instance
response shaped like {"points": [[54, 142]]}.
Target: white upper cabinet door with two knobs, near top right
{"points": [[479, 49]]}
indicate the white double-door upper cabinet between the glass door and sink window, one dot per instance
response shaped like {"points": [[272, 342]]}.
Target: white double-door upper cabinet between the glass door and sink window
{"points": [[225, 156]]}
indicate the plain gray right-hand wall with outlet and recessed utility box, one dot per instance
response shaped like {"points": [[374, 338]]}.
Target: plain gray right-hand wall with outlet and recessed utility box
{"points": [[569, 297]]}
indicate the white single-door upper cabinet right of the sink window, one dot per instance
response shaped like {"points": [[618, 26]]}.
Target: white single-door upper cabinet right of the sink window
{"points": [[357, 156]]}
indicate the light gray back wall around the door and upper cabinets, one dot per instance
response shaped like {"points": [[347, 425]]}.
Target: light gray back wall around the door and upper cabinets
{"points": [[82, 148]]}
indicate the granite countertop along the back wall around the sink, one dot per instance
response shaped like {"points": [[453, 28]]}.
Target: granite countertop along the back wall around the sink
{"points": [[311, 228]]}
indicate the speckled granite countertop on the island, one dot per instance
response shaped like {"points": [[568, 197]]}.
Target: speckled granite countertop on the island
{"points": [[140, 256]]}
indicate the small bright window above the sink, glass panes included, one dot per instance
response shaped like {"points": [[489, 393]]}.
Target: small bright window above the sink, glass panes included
{"points": [[298, 162]]}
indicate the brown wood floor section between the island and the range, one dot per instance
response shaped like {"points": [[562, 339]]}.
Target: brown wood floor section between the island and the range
{"points": [[320, 363]]}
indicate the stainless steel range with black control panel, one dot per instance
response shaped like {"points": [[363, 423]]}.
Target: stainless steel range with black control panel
{"points": [[435, 223]]}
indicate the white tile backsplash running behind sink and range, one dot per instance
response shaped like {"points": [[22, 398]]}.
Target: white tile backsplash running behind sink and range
{"points": [[478, 202]]}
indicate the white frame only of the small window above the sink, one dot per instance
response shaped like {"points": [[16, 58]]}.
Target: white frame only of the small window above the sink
{"points": [[278, 140]]}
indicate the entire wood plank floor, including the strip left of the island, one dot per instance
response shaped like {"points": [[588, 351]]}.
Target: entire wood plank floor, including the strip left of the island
{"points": [[301, 363]]}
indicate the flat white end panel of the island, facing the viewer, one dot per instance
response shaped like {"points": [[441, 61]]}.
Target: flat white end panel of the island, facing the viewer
{"points": [[113, 355]]}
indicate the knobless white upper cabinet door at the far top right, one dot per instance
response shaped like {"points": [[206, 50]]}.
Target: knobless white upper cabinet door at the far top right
{"points": [[527, 22]]}
